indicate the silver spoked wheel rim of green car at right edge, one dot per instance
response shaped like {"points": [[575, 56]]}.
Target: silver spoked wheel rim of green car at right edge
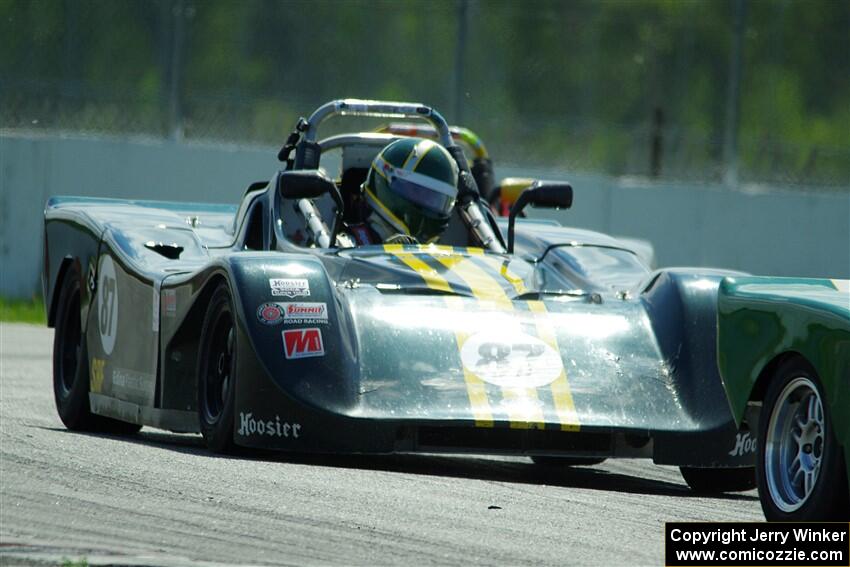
{"points": [[794, 445]]}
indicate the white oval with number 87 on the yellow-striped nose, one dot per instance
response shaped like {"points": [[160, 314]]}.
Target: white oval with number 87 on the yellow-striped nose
{"points": [[511, 359]]}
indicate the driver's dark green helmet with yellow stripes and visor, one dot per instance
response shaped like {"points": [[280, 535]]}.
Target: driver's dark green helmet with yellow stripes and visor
{"points": [[412, 187]]}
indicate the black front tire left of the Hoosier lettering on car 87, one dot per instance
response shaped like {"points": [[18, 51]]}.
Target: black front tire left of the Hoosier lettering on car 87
{"points": [[217, 372]]}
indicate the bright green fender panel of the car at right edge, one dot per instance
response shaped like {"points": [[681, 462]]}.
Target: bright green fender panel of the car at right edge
{"points": [[761, 319]]}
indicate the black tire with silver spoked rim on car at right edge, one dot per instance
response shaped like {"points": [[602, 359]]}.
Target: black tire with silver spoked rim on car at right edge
{"points": [[793, 389]]}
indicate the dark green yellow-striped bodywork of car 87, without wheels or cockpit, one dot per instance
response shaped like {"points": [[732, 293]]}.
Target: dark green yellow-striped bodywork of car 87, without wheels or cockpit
{"points": [[622, 361]]}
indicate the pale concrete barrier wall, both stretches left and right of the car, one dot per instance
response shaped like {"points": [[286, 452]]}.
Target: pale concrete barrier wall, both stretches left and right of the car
{"points": [[771, 232]]}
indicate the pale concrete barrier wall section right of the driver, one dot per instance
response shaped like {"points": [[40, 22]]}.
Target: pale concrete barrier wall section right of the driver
{"points": [[768, 232]]}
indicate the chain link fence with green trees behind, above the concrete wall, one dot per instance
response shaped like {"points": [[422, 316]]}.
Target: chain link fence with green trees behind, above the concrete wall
{"points": [[683, 90]]}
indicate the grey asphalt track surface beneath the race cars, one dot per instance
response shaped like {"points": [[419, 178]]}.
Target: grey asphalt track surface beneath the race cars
{"points": [[161, 499]]}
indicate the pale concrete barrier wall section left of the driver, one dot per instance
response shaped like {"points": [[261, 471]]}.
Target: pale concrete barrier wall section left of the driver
{"points": [[32, 169]]}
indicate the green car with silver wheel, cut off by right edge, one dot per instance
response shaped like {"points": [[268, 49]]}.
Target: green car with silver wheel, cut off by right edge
{"points": [[784, 356]]}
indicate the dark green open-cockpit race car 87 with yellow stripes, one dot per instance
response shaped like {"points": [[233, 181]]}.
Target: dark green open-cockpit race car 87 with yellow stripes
{"points": [[262, 325]]}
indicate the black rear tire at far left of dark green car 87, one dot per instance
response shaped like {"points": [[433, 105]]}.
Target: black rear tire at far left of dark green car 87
{"points": [[71, 365]]}
